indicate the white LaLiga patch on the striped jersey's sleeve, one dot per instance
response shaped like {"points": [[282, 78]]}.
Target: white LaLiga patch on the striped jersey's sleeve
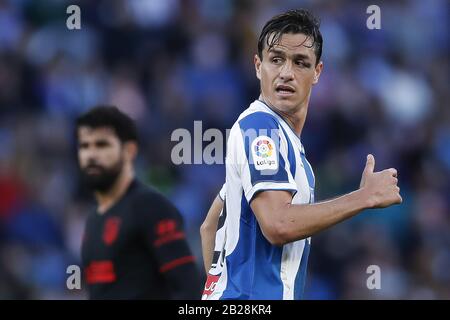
{"points": [[264, 154]]}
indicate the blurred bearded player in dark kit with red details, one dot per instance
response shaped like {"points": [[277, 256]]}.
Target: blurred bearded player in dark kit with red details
{"points": [[134, 246]]}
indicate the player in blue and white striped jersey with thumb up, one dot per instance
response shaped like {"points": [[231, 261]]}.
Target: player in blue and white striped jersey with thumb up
{"points": [[262, 242]]}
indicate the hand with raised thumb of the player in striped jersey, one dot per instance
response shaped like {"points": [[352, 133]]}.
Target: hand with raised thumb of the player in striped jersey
{"points": [[380, 187]]}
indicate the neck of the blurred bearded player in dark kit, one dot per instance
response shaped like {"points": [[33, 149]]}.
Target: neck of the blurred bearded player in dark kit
{"points": [[107, 199]]}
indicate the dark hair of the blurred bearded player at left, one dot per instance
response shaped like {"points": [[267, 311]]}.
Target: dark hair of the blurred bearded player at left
{"points": [[110, 117]]}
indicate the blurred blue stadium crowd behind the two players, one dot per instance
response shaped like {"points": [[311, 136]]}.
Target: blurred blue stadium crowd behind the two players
{"points": [[170, 62]]}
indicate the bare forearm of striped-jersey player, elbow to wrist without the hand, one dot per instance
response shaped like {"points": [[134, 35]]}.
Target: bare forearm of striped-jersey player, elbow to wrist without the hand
{"points": [[301, 221]]}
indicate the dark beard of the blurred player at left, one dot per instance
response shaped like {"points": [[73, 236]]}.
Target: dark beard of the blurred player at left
{"points": [[104, 181]]}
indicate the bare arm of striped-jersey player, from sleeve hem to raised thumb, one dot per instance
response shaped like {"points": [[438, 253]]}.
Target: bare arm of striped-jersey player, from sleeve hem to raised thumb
{"points": [[282, 222]]}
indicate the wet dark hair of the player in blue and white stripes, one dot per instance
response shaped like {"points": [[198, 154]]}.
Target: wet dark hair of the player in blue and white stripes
{"points": [[292, 21]]}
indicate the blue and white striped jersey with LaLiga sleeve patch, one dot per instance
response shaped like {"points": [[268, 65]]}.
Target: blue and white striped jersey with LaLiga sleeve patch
{"points": [[263, 153]]}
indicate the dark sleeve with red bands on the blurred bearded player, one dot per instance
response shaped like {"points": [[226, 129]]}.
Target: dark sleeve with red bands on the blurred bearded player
{"points": [[161, 226]]}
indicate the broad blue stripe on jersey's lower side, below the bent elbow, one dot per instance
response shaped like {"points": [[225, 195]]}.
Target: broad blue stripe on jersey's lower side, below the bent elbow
{"points": [[248, 272]]}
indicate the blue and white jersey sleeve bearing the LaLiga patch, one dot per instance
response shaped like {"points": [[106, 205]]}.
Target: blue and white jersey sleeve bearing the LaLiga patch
{"points": [[261, 148]]}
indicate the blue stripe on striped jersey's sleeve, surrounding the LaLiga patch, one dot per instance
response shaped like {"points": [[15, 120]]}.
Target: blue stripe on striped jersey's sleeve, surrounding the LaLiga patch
{"points": [[262, 121]]}
